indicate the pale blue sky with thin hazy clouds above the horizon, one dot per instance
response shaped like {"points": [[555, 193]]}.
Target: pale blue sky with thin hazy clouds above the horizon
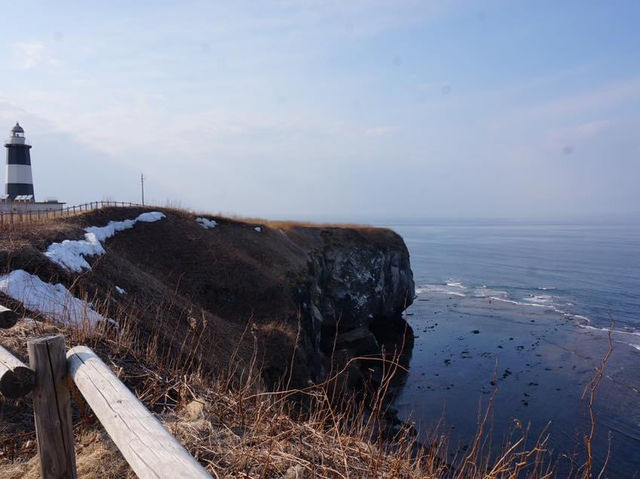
{"points": [[333, 109]]}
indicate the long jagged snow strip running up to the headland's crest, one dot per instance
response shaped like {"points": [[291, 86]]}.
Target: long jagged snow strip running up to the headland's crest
{"points": [[70, 254]]}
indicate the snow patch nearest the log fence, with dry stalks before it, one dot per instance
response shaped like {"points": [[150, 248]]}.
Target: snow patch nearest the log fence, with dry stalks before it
{"points": [[51, 300]]}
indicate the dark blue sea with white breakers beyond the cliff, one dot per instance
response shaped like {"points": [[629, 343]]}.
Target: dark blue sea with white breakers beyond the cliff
{"points": [[525, 330]]}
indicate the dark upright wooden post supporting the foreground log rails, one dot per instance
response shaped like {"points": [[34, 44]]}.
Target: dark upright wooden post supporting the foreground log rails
{"points": [[52, 408]]}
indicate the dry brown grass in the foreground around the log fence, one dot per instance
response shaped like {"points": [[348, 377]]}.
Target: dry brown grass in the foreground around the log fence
{"points": [[237, 428]]}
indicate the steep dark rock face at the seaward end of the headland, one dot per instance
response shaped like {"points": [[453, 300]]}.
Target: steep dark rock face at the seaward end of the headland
{"points": [[352, 303]]}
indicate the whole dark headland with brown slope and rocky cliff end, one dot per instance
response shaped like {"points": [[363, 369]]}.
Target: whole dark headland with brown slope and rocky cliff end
{"points": [[310, 293]]}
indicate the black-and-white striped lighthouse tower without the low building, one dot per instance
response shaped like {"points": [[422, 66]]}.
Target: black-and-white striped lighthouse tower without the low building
{"points": [[19, 181]]}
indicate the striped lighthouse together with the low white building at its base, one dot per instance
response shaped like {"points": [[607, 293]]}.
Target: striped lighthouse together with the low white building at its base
{"points": [[19, 193]]}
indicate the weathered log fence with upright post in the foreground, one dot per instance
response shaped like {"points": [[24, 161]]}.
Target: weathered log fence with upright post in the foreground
{"points": [[150, 450]]}
